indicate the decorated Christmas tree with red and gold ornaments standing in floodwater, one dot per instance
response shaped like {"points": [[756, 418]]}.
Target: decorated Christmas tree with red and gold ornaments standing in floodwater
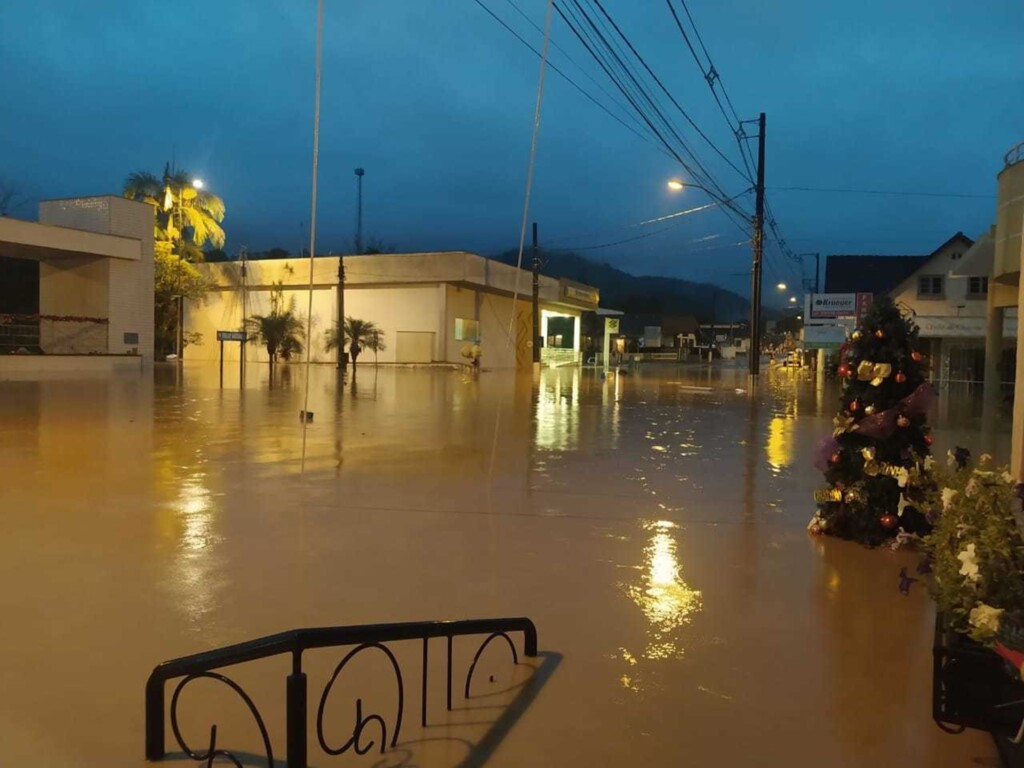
{"points": [[878, 461]]}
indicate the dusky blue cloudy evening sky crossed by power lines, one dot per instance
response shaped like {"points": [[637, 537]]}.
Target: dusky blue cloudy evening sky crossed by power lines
{"points": [[436, 101]]}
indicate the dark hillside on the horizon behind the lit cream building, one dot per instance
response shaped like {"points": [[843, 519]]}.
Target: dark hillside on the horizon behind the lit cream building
{"points": [[644, 295]]}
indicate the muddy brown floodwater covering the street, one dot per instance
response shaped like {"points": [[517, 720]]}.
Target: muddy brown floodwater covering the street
{"points": [[653, 526]]}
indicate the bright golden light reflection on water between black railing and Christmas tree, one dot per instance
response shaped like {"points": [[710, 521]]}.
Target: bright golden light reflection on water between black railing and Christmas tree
{"points": [[667, 602]]}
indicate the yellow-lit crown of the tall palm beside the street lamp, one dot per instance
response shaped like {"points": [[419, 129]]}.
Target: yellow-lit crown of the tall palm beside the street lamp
{"points": [[187, 218]]}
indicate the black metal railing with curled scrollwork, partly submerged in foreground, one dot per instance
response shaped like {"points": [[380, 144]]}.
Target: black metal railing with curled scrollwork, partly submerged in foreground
{"points": [[295, 643]]}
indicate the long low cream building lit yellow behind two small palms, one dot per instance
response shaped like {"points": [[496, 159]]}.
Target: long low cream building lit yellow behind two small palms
{"points": [[431, 307]]}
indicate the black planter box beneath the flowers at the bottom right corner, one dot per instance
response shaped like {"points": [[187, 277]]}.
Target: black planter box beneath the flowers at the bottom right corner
{"points": [[971, 689]]}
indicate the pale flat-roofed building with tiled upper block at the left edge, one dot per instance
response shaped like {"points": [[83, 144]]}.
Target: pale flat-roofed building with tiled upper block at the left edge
{"points": [[84, 276]]}
